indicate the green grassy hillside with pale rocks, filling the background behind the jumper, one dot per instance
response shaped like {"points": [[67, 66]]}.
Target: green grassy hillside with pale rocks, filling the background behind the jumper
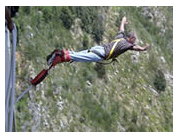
{"points": [[135, 94]]}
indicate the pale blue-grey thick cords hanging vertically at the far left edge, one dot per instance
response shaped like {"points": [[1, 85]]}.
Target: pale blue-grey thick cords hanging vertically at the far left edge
{"points": [[10, 90]]}
